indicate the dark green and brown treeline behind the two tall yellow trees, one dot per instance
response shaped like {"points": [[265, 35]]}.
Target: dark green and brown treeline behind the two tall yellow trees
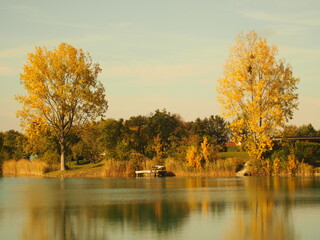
{"points": [[157, 136]]}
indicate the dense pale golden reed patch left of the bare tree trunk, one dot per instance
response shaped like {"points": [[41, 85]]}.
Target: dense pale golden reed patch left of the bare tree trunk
{"points": [[24, 167]]}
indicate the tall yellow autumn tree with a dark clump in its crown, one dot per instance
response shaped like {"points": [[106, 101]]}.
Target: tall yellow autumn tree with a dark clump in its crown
{"points": [[257, 92]]}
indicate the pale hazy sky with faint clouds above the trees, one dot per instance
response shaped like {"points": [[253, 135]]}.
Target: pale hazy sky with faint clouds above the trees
{"points": [[160, 54]]}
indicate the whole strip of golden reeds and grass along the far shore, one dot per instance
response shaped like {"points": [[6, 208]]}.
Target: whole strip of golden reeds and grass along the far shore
{"points": [[222, 167]]}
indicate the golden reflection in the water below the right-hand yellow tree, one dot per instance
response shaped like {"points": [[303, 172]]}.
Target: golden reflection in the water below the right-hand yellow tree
{"points": [[265, 213]]}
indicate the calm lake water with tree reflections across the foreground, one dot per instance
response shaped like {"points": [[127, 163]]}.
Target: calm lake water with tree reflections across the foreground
{"points": [[160, 208]]}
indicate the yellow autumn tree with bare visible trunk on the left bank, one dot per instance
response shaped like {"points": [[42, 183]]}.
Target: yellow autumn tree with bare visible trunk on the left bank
{"points": [[62, 91]]}
